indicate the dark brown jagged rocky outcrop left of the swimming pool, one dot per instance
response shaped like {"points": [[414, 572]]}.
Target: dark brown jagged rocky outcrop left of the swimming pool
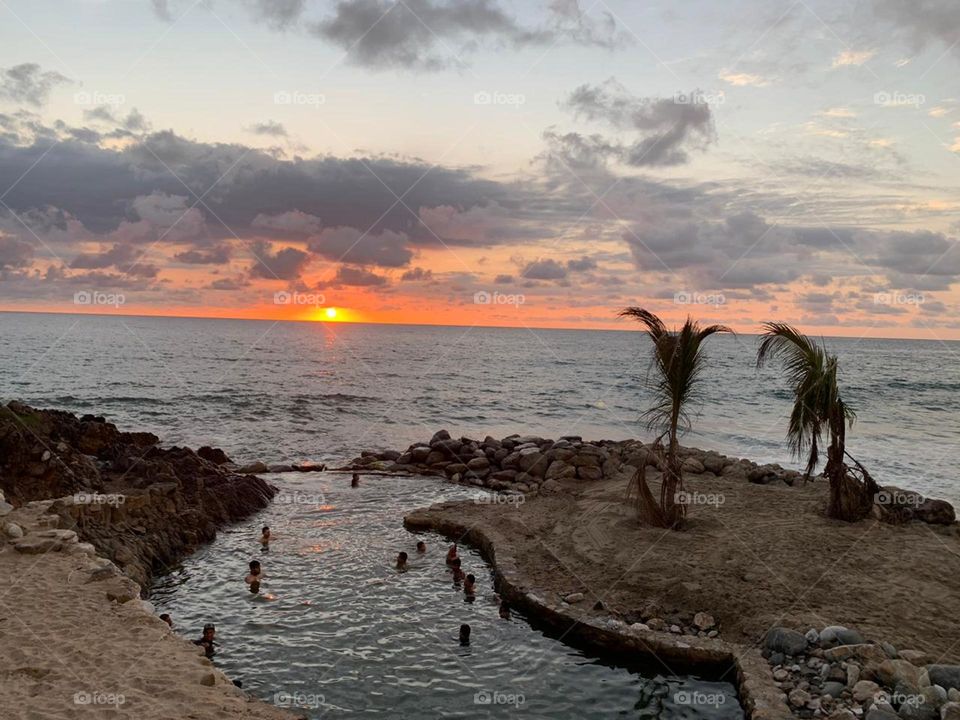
{"points": [[142, 506]]}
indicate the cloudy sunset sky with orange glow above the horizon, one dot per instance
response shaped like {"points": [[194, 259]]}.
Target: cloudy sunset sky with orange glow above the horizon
{"points": [[485, 162]]}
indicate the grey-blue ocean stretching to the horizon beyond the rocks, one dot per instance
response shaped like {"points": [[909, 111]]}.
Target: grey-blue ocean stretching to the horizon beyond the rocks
{"points": [[289, 391]]}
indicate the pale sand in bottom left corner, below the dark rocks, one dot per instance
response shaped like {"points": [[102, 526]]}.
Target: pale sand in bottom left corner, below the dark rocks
{"points": [[67, 651]]}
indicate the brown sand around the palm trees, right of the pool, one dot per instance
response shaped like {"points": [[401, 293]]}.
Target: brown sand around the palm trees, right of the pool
{"points": [[757, 557]]}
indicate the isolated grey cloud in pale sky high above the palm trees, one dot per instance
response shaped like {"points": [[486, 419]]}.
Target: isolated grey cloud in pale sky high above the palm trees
{"points": [[669, 127]]}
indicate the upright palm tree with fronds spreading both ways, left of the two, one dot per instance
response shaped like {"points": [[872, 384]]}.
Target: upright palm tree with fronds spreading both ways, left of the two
{"points": [[678, 361]]}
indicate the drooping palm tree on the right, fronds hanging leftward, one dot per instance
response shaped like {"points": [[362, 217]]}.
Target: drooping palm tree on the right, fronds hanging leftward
{"points": [[818, 408]]}
